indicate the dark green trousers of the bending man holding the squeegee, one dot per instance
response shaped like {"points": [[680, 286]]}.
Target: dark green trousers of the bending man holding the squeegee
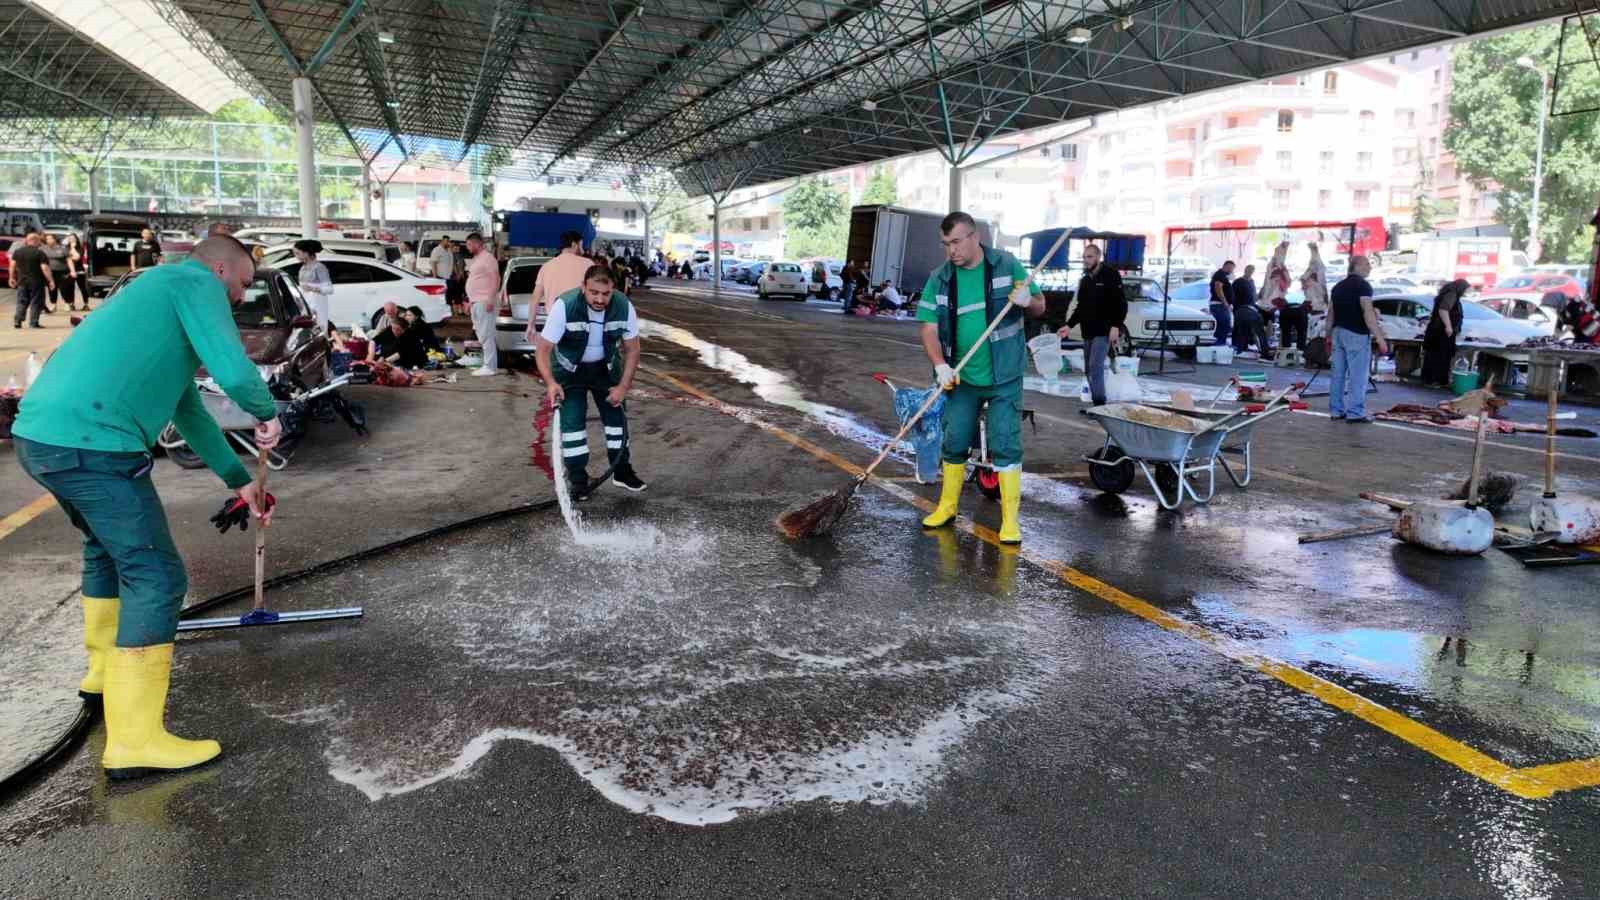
{"points": [[127, 548]]}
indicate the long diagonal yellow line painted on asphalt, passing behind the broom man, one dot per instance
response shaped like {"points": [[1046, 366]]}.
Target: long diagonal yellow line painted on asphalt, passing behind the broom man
{"points": [[1540, 782]]}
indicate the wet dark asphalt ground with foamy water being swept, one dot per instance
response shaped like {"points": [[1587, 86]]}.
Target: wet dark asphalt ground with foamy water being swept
{"points": [[686, 705]]}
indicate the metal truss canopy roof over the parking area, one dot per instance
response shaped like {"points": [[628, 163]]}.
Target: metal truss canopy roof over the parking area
{"points": [[738, 92]]}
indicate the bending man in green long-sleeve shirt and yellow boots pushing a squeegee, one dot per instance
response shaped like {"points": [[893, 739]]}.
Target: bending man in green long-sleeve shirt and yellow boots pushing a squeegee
{"points": [[86, 432]]}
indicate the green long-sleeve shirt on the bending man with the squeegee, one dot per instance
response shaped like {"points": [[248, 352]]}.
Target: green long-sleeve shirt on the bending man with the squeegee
{"points": [[130, 369]]}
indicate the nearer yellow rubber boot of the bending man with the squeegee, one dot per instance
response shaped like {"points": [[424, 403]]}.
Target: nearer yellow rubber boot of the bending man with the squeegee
{"points": [[137, 742]]}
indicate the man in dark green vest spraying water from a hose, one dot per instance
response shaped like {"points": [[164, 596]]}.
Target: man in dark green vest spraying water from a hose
{"points": [[593, 337]]}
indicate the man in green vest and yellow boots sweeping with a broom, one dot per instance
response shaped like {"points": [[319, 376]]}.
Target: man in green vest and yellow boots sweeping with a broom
{"points": [[961, 299]]}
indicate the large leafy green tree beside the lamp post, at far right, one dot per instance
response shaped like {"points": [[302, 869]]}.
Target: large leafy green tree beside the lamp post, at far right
{"points": [[1495, 116]]}
